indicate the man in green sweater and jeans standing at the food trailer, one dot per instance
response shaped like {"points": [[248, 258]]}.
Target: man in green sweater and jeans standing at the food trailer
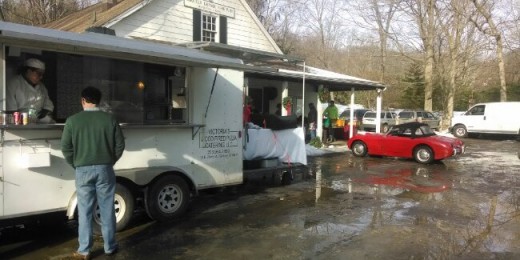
{"points": [[92, 142]]}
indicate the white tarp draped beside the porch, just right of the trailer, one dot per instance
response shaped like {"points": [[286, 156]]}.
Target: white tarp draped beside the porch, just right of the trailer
{"points": [[287, 145]]}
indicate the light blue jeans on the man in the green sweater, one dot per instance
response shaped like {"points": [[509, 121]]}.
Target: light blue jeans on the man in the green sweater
{"points": [[96, 183]]}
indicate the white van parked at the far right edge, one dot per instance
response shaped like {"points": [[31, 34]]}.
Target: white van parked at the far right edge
{"points": [[488, 118]]}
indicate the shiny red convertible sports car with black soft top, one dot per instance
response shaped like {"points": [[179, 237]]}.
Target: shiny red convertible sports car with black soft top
{"points": [[409, 140]]}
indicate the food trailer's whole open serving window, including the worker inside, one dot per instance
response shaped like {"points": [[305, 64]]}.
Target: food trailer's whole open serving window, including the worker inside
{"points": [[46, 83]]}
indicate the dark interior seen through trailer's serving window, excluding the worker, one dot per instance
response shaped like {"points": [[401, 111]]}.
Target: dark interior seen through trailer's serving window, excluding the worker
{"points": [[136, 92]]}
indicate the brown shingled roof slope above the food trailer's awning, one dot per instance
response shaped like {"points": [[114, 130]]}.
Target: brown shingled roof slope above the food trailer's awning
{"points": [[93, 16]]}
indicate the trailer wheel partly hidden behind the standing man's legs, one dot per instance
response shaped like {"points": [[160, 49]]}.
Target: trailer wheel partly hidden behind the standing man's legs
{"points": [[124, 207]]}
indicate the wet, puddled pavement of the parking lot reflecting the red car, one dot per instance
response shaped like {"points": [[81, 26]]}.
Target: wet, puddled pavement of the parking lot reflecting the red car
{"points": [[344, 208]]}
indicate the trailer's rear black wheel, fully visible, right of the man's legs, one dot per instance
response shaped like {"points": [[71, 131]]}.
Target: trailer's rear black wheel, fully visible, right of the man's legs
{"points": [[167, 198]]}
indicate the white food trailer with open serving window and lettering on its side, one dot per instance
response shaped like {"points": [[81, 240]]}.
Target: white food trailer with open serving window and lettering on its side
{"points": [[180, 110]]}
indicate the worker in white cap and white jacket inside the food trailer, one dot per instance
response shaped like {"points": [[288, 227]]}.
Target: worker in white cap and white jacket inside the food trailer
{"points": [[26, 92]]}
